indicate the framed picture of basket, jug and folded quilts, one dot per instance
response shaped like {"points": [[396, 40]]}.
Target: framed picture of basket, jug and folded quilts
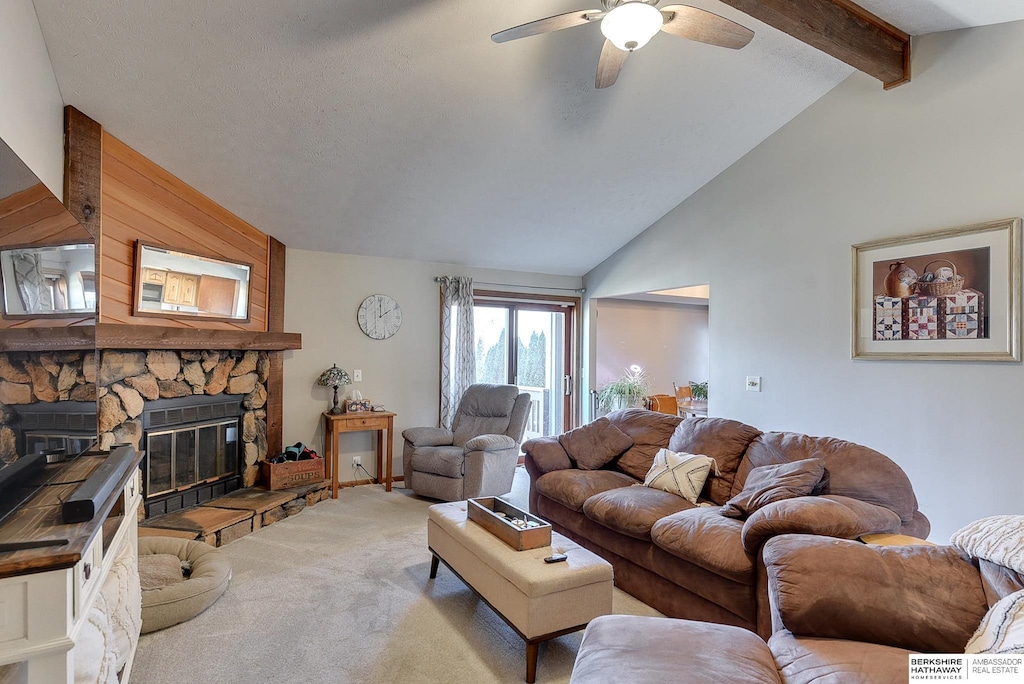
{"points": [[948, 295]]}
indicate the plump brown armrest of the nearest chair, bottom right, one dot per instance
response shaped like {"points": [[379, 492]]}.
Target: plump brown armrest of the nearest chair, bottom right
{"points": [[922, 598]]}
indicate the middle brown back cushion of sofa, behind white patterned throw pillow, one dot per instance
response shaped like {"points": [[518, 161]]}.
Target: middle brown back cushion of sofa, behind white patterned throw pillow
{"points": [[723, 440]]}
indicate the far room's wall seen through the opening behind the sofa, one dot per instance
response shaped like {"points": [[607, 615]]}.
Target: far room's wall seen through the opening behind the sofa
{"points": [[670, 341]]}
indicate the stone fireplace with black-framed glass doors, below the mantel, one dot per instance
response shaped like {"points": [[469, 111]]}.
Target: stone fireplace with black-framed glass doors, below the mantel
{"points": [[200, 416]]}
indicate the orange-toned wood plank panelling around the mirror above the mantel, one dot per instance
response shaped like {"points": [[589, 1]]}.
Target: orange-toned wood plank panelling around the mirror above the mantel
{"points": [[143, 201]]}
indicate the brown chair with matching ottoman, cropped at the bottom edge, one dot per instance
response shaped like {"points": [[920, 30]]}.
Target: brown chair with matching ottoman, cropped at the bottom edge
{"points": [[842, 612]]}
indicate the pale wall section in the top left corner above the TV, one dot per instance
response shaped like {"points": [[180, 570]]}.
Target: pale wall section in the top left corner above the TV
{"points": [[31, 107]]}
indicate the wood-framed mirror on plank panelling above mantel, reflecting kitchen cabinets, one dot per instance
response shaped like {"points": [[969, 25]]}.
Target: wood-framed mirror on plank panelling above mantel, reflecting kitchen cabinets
{"points": [[169, 283]]}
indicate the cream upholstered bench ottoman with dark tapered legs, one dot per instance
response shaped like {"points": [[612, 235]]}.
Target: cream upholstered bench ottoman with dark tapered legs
{"points": [[539, 601]]}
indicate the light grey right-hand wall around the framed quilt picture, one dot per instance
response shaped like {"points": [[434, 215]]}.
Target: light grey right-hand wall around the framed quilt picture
{"points": [[773, 237]]}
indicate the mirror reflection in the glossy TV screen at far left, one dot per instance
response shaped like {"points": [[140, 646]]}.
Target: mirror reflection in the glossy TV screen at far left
{"points": [[56, 281]]}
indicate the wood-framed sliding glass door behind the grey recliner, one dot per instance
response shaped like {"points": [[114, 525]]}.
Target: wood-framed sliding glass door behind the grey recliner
{"points": [[529, 345]]}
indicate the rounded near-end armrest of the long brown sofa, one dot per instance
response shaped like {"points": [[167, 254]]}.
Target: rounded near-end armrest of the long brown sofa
{"points": [[829, 516]]}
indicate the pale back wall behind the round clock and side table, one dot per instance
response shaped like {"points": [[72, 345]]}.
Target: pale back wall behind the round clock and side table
{"points": [[323, 292]]}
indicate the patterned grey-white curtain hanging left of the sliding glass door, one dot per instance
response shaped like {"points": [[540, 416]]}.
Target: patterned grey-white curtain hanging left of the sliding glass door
{"points": [[458, 354]]}
